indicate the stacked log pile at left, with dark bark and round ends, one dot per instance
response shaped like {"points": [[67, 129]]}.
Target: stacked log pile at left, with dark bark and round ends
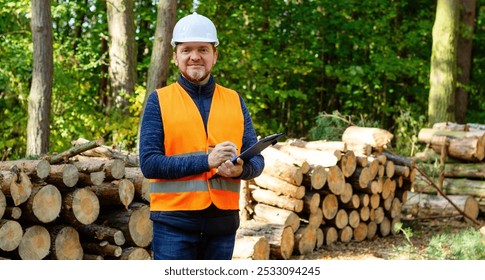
{"points": [[71, 206]]}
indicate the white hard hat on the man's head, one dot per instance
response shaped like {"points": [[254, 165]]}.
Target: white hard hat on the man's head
{"points": [[194, 28]]}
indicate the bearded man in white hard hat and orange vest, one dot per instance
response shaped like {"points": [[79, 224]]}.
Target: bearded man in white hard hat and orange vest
{"points": [[190, 131]]}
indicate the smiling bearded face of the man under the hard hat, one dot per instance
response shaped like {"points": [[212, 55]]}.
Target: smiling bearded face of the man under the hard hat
{"points": [[195, 60]]}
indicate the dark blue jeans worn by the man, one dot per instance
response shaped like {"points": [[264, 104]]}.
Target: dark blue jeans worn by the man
{"points": [[194, 238]]}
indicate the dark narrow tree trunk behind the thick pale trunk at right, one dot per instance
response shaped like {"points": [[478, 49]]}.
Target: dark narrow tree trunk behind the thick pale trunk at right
{"points": [[464, 56]]}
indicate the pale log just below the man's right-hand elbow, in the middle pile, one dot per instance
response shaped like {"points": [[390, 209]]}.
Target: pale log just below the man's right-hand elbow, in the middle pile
{"points": [[279, 186]]}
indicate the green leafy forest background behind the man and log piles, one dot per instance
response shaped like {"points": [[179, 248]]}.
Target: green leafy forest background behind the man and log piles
{"points": [[294, 62]]}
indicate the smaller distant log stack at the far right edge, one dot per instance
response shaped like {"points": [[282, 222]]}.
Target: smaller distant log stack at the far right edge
{"points": [[455, 161]]}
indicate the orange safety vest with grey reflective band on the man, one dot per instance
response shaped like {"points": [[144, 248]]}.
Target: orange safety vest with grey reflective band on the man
{"points": [[185, 135]]}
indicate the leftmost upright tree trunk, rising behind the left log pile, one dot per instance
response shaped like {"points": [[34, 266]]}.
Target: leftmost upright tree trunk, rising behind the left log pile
{"points": [[42, 77]]}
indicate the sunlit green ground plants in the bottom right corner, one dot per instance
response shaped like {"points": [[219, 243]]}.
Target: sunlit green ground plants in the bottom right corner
{"points": [[465, 245]]}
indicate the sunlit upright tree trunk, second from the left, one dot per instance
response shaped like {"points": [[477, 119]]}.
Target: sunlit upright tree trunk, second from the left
{"points": [[122, 50]]}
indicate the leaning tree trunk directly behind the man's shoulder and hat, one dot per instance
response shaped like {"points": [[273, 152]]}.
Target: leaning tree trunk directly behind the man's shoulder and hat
{"points": [[161, 53]]}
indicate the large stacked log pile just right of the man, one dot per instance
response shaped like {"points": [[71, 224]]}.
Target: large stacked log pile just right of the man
{"points": [[317, 193]]}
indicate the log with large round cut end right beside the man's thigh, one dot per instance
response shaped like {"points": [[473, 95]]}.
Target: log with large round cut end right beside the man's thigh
{"points": [[134, 222]]}
